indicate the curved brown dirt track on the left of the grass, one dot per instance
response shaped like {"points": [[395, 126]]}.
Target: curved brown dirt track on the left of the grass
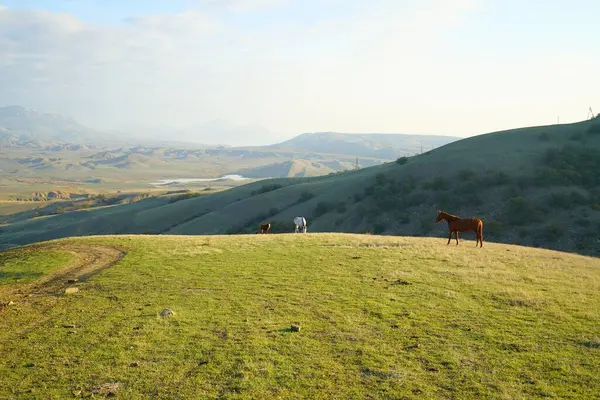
{"points": [[89, 259]]}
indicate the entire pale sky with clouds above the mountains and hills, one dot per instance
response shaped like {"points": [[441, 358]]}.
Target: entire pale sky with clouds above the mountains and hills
{"points": [[448, 67]]}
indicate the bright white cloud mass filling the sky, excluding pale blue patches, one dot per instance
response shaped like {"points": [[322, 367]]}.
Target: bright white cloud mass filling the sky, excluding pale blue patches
{"points": [[385, 65]]}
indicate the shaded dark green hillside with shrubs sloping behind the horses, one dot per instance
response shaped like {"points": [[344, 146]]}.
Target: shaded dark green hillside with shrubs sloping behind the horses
{"points": [[535, 186]]}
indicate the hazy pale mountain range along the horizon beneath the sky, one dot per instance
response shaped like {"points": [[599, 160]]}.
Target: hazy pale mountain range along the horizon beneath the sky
{"points": [[21, 127]]}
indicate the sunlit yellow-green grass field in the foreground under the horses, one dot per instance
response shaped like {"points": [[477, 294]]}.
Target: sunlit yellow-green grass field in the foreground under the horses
{"points": [[379, 317]]}
